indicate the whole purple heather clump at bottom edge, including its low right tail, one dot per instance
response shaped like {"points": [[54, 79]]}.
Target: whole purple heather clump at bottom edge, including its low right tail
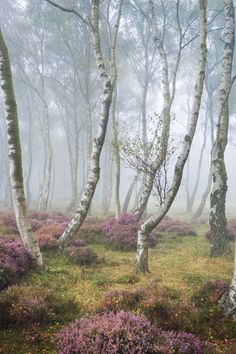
{"points": [[124, 332]]}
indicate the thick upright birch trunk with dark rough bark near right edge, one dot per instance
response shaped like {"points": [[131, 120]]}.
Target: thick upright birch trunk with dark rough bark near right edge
{"points": [[218, 221]]}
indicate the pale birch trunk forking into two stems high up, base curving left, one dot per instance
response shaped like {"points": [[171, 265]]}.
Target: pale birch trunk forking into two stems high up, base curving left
{"points": [[94, 170]]}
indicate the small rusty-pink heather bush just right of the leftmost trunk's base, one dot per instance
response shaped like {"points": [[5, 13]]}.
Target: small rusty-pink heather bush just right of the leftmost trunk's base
{"points": [[48, 235]]}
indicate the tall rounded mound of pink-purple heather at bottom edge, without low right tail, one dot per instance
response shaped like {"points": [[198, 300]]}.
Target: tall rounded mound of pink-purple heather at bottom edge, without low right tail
{"points": [[121, 332]]}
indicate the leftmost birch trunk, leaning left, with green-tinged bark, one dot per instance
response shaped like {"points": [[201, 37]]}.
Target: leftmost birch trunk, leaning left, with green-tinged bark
{"points": [[16, 175]]}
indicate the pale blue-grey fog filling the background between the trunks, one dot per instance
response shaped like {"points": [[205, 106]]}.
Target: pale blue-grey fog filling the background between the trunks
{"points": [[58, 95]]}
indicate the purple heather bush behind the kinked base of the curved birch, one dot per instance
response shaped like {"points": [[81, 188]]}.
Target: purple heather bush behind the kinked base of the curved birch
{"points": [[122, 234]]}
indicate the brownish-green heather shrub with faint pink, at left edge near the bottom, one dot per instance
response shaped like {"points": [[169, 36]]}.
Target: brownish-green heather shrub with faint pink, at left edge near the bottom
{"points": [[21, 305]]}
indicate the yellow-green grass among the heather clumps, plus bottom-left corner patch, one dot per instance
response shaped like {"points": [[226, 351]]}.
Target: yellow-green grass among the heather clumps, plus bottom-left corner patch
{"points": [[179, 263]]}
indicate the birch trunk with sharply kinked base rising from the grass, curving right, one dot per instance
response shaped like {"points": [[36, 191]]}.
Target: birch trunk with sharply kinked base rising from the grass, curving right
{"points": [[147, 227]]}
